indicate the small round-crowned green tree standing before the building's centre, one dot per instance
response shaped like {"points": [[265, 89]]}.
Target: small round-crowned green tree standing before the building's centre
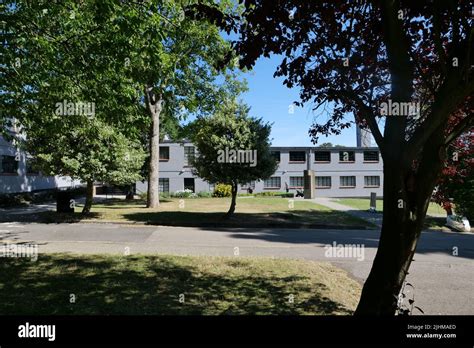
{"points": [[233, 148]]}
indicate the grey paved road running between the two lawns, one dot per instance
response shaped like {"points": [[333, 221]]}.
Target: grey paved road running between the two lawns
{"points": [[444, 284]]}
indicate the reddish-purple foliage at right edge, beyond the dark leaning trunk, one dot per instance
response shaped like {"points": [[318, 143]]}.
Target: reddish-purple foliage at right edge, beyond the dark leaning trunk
{"points": [[457, 178]]}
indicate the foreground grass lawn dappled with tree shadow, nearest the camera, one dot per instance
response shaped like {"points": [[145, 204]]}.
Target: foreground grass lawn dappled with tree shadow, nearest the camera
{"points": [[153, 285]]}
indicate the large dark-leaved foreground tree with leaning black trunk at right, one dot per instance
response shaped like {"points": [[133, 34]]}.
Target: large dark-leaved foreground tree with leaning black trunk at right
{"points": [[360, 57]]}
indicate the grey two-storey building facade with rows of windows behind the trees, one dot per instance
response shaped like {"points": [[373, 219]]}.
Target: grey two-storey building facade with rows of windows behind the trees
{"points": [[338, 171]]}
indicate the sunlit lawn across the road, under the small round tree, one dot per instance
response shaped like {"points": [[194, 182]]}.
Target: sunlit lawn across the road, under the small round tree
{"points": [[250, 212]]}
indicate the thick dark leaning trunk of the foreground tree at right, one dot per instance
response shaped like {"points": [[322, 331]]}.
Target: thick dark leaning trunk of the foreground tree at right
{"points": [[407, 193]]}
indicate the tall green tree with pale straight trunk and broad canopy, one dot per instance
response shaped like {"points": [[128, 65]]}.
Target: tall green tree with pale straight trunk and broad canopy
{"points": [[96, 51]]}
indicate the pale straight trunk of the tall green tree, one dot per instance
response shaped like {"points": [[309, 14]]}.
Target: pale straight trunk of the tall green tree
{"points": [[154, 107]]}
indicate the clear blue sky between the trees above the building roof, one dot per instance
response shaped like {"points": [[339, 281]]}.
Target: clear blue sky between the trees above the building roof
{"points": [[270, 100]]}
